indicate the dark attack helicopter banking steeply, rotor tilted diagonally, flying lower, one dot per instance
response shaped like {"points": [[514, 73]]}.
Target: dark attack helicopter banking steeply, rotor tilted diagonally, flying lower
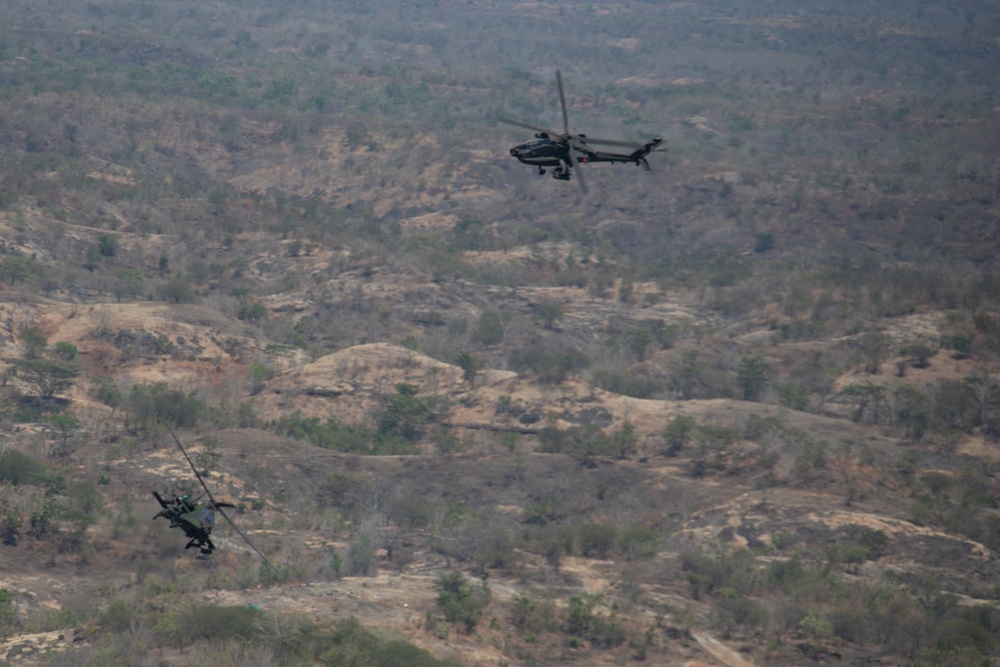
{"points": [[196, 518]]}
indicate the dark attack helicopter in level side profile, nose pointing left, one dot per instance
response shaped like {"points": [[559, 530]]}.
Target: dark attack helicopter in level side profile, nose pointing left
{"points": [[564, 151]]}
